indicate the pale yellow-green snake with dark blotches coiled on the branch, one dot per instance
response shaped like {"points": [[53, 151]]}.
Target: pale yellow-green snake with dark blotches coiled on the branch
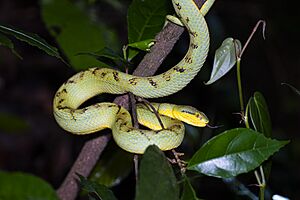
{"points": [[77, 119]]}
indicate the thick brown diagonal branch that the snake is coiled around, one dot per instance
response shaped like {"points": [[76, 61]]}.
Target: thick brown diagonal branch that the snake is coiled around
{"points": [[92, 149]]}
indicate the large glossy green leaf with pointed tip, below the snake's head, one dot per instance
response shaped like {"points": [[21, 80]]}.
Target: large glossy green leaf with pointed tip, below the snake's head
{"points": [[234, 152]]}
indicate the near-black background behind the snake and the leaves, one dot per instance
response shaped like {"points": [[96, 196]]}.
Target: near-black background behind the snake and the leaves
{"points": [[27, 87]]}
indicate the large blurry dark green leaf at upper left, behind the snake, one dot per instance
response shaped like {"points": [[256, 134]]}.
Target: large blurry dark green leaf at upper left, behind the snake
{"points": [[75, 32]]}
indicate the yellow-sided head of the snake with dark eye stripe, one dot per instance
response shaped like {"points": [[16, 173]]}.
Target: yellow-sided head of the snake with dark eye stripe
{"points": [[190, 115]]}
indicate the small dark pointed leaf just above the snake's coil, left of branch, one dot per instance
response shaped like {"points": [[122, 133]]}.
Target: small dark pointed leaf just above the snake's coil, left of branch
{"points": [[107, 56]]}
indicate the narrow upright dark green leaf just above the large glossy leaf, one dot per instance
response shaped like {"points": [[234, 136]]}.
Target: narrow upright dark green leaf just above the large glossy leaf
{"points": [[259, 114]]}
